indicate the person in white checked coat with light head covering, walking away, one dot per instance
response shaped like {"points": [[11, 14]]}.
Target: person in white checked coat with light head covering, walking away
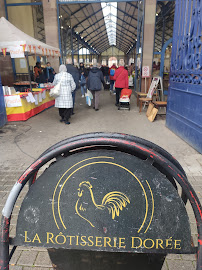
{"points": [[65, 101]]}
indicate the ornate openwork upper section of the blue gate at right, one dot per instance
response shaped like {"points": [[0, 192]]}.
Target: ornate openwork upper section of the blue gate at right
{"points": [[186, 61]]}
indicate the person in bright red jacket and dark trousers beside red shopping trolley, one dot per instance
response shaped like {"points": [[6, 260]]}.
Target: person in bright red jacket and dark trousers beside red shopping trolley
{"points": [[121, 80]]}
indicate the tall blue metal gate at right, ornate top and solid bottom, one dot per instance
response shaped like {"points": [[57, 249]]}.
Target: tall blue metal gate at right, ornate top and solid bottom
{"points": [[184, 111]]}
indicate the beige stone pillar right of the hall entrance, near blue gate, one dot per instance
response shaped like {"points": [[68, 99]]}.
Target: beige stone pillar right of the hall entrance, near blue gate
{"points": [[149, 36]]}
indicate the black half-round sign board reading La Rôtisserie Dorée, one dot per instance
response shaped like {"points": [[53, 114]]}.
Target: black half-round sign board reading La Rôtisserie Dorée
{"points": [[104, 201]]}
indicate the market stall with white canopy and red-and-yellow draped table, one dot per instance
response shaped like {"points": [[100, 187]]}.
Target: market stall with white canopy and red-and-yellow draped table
{"points": [[22, 105]]}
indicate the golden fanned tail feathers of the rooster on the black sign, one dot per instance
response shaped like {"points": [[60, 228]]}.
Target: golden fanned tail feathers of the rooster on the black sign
{"points": [[115, 201]]}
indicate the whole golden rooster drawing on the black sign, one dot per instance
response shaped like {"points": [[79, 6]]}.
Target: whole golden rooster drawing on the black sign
{"points": [[113, 201]]}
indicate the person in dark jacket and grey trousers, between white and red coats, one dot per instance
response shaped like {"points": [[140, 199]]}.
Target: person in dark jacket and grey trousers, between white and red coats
{"points": [[94, 83]]}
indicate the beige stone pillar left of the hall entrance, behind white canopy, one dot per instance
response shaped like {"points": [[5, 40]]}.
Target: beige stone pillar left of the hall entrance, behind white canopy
{"points": [[51, 29]]}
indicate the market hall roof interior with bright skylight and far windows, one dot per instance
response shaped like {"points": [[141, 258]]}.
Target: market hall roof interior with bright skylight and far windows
{"points": [[106, 32]]}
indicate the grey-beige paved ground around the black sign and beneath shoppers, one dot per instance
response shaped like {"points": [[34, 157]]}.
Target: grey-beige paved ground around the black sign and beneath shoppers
{"points": [[13, 162]]}
